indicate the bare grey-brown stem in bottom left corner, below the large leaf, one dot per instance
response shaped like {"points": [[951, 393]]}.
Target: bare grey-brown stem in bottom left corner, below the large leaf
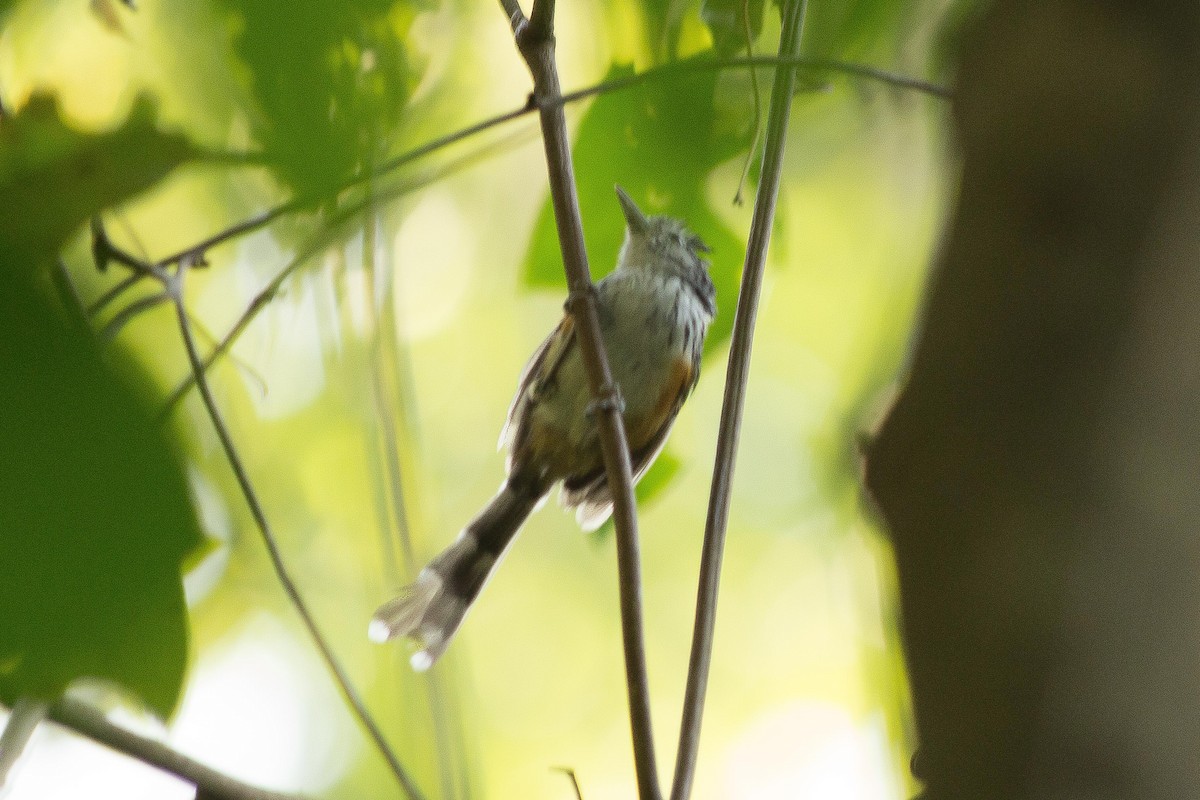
{"points": [[89, 723]]}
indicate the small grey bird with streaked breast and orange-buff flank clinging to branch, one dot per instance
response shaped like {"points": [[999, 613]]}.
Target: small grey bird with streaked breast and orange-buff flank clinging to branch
{"points": [[655, 312]]}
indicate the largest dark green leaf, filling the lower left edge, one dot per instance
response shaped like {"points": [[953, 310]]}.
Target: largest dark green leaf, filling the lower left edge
{"points": [[95, 519]]}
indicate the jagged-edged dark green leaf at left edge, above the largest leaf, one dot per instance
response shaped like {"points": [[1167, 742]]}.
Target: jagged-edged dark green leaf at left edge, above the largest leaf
{"points": [[53, 178]]}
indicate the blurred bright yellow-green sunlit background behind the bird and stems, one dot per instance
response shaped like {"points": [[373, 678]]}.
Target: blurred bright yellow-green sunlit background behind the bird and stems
{"points": [[368, 398]]}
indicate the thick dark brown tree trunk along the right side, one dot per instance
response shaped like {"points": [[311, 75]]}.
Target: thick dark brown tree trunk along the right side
{"points": [[1041, 470]]}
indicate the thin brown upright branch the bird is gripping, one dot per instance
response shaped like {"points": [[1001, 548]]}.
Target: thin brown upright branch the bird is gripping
{"points": [[536, 41]]}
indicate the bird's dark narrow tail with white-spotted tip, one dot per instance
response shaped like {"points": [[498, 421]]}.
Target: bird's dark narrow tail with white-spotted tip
{"points": [[431, 610]]}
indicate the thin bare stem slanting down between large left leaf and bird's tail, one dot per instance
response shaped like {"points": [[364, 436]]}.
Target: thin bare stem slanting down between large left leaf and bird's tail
{"points": [[281, 572]]}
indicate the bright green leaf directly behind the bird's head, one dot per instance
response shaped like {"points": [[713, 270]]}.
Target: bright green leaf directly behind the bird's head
{"points": [[661, 141]]}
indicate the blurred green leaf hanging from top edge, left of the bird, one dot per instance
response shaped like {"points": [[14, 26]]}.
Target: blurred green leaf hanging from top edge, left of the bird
{"points": [[331, 80]]}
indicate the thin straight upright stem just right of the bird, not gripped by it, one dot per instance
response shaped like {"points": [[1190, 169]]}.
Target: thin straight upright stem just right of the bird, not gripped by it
{"points": [[737, 375]]}
